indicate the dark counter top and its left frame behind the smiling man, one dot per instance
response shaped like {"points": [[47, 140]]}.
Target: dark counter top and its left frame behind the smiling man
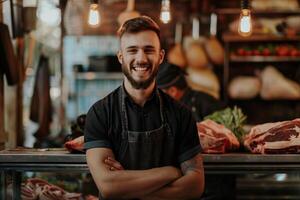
{"points": [[17, 161]]}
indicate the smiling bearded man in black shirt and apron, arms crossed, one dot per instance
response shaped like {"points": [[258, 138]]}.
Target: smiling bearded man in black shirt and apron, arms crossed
{"points": [[140, 143]]}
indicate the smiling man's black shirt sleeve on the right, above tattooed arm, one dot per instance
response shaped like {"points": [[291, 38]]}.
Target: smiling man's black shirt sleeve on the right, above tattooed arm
{"points": [[189, 143]]}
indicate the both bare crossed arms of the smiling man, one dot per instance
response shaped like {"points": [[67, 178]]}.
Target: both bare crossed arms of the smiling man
{"points": [[157, 183]]}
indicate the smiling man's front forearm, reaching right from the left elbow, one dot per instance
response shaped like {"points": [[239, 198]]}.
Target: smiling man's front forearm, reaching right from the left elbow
{"points": [[136, 183]]}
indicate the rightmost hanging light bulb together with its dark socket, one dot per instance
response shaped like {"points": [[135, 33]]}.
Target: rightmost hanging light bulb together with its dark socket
{"points": [[245, 24]]}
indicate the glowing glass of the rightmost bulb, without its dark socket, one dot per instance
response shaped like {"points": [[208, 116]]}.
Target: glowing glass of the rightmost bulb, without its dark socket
{"points": [[245, 25]]}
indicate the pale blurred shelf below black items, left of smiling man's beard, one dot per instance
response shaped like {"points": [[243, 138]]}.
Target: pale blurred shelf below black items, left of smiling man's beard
{"points": [[99, 75]]}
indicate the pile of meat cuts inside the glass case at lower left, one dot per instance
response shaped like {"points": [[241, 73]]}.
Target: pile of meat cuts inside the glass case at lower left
{"points": [[35, 189]]}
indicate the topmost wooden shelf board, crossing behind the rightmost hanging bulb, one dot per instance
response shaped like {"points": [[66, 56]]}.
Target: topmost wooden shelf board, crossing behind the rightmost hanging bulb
{"points": [[234, 11]]}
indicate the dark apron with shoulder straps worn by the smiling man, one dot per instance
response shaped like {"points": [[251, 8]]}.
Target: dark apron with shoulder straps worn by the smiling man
{"points": [[146, 149]]}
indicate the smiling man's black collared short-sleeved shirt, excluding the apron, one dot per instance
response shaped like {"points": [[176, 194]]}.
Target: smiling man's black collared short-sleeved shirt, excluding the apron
{"points": [[103, 123]]}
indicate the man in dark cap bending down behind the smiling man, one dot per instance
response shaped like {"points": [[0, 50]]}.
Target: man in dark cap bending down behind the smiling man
{"points": [[171, 79]]}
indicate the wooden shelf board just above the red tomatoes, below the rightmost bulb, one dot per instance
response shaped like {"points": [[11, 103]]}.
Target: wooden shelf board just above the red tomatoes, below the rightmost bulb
{"points": [[230, 37]]}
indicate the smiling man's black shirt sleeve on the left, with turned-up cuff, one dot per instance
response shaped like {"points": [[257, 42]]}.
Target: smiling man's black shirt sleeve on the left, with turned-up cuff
{"points": [[96, 128]]}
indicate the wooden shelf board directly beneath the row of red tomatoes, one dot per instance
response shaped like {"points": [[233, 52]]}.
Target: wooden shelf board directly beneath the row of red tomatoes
{"points": [[235, 58]]}
